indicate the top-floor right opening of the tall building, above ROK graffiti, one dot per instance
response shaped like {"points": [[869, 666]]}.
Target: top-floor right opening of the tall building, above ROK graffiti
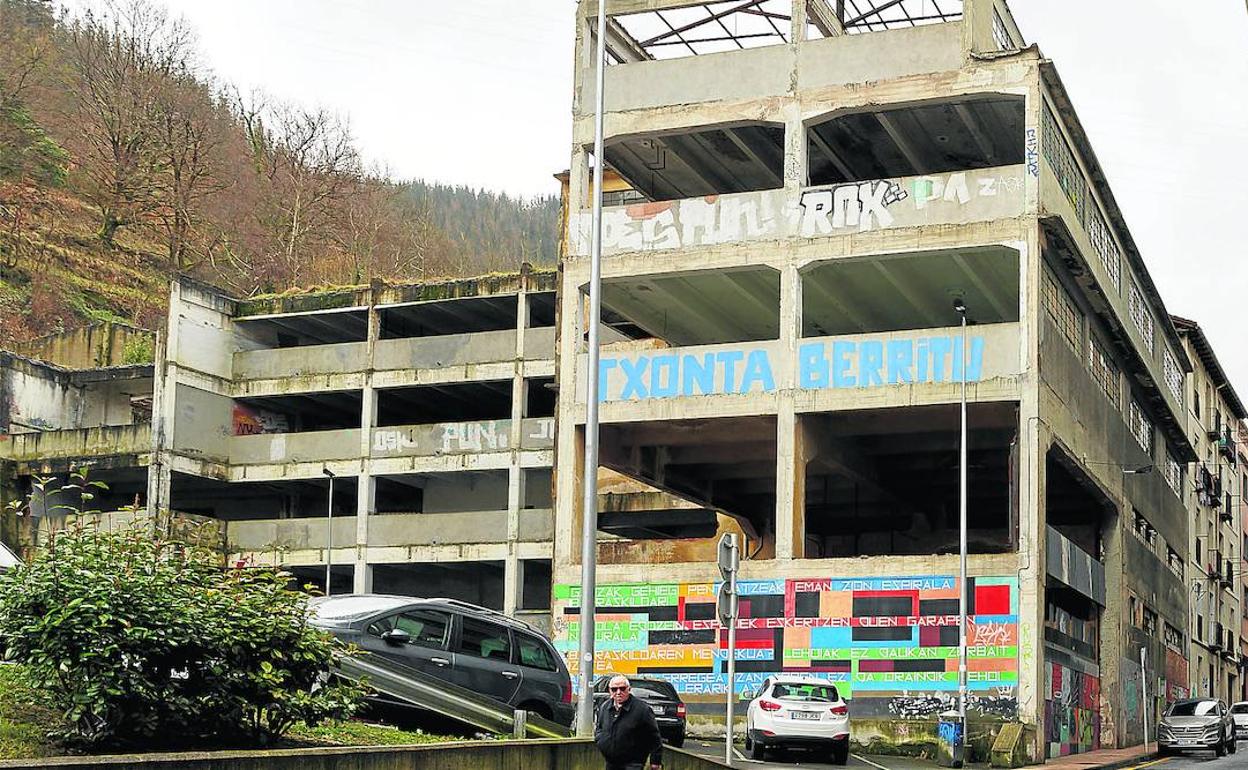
{"points": [[954, 135]]}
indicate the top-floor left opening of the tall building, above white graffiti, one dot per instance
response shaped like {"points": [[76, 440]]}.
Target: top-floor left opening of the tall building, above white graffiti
{"points": [[712, 160]]}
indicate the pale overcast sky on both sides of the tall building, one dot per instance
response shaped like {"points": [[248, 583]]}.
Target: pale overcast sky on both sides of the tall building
{"points": [[479, 93]]}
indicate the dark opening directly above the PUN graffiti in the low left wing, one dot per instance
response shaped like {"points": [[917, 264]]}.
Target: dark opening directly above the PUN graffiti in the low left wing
{"points": [[445, 404]]}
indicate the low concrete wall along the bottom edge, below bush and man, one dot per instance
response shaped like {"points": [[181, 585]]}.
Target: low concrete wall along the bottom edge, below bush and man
{"points": [[469, 756]]}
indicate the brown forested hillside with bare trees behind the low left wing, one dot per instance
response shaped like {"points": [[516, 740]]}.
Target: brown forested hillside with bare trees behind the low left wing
{"points": [[124, 163]]}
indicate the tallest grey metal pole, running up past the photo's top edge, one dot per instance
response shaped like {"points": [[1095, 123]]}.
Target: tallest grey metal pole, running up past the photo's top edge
{"points": [[590, 504]]}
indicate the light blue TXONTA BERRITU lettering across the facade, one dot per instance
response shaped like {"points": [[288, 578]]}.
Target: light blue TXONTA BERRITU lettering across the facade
{"points": [[842, 364]]}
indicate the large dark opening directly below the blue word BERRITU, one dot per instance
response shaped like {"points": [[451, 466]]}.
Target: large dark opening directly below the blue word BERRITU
{"points": [[888, 481]]}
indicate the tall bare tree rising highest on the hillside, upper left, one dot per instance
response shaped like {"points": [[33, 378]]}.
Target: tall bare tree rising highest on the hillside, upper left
{"points": [[120, 62]]}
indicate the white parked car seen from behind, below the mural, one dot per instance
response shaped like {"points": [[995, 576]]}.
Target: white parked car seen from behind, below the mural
{"points": [[798, 712]]}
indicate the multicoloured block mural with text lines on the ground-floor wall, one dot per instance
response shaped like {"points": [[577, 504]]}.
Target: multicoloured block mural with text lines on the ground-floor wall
{"points": [[890, 641]]}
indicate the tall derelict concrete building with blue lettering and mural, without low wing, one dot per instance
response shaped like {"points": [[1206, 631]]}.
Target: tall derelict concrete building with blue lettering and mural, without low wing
{"points": [[821, 182]]}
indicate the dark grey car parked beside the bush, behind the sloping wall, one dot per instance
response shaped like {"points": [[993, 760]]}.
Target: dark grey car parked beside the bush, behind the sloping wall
{"points": [[461, 643]]}
